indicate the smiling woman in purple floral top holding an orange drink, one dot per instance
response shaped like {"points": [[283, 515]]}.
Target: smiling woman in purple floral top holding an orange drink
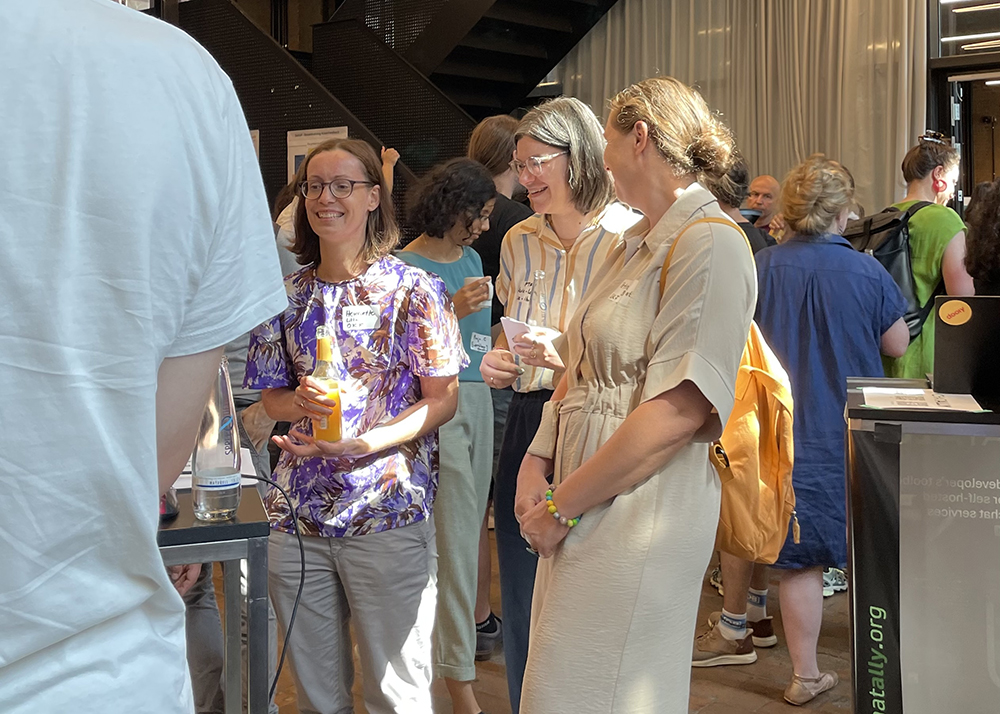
{"points": [[364, 503]]}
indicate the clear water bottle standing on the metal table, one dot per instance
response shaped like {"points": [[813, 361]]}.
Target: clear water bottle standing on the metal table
{"points": [[215, 464]]}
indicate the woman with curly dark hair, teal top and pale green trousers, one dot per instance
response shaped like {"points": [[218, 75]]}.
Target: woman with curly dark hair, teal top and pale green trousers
{"points": [[451, 208]]}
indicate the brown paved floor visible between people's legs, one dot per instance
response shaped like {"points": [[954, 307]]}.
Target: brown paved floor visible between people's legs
{"points": [[718, 690]]}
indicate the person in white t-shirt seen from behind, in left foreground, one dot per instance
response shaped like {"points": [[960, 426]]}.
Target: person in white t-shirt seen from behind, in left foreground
{"points": [[135, 241]]}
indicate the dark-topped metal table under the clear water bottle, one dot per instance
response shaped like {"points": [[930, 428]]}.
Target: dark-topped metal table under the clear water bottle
{"points": [[188, 540]]}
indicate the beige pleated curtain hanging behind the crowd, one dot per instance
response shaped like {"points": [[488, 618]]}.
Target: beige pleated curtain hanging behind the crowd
{"points": [[790, 77]]}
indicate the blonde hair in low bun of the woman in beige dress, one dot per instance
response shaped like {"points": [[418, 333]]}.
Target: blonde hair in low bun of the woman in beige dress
{"points": [[690, 138]]}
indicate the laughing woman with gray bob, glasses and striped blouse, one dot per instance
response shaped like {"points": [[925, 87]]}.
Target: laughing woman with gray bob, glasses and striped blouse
{"points": [[559, 159]]}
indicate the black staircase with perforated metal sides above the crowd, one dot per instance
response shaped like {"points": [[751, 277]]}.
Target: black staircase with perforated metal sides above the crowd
{"points": [[412, 74]]}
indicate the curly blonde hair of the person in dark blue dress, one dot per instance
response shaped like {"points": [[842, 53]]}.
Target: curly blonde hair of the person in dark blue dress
{"points": [[814, 193]]}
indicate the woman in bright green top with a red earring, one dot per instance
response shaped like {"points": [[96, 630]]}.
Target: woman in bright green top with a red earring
{"points": [[937, 243]]}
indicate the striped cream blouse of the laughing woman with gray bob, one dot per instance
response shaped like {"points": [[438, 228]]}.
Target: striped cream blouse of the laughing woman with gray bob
{"points": [[533, 245]]}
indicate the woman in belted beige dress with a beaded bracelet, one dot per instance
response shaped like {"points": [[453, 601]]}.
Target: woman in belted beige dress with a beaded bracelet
{"points": [[650, 373]]}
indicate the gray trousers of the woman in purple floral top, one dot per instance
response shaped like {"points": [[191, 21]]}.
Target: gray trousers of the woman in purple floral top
{"points": [[385, 586]]}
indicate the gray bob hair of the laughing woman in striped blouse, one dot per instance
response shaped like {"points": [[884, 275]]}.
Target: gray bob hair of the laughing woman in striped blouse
{"points": [[569, 124]]}
